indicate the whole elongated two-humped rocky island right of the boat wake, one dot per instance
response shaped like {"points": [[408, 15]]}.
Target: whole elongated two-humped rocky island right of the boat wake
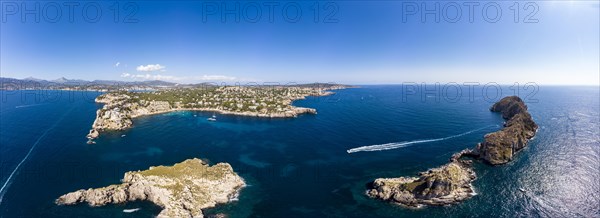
{"points": [[451, 183]]}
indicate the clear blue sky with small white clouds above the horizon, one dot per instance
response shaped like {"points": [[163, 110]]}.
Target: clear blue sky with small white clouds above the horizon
{"points": [[363, 42]]}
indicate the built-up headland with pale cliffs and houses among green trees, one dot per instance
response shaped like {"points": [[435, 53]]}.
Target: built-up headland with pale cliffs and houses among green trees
{"points": [[260, 101]]}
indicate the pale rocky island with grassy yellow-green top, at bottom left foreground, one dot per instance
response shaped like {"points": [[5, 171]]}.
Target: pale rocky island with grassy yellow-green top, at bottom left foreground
{"points": [[182, 190]]}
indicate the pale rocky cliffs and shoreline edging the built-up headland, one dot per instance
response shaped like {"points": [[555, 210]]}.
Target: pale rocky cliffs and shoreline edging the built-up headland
{"points": [[121, 107]]}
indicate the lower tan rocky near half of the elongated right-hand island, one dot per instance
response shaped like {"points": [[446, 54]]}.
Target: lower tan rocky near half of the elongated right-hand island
{"points": [[447, 184]]}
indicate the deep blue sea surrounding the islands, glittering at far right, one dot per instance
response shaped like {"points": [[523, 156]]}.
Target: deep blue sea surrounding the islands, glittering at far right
{"points": [[300, 167]]}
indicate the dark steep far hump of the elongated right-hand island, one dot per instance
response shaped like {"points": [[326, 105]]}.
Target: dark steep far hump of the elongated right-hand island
{"points": [[500, 147]]}
